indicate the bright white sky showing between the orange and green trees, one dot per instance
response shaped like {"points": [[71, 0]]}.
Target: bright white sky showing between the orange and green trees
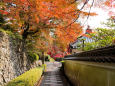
{"points": [[102, 15]]}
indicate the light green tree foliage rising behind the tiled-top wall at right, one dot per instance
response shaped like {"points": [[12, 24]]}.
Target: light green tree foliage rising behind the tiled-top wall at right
{"points": [[101, 38]]}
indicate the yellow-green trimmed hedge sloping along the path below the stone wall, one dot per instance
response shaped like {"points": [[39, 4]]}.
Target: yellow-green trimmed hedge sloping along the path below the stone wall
{"points": [[29, 78]]}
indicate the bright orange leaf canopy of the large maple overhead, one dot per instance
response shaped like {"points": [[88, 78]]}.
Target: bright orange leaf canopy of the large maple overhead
{"points": [[58, 14]]}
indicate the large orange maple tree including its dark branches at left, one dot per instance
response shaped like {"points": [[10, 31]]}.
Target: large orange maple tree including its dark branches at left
{"points": [[32, 17]]}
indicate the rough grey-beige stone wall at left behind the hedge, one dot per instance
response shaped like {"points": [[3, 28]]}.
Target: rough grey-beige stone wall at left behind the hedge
{"points": [[11, 60]]}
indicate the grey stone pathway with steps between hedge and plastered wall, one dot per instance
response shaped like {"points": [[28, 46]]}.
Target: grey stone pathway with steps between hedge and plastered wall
{"points": [[53, 76]]}
